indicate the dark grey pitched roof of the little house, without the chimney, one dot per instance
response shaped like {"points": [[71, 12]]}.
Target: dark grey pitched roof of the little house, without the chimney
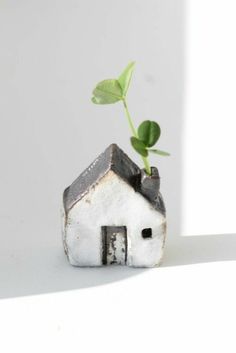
{"points": [[113, 158]]}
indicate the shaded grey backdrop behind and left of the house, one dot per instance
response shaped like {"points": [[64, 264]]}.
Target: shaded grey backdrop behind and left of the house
{"points": [[52, 54]]}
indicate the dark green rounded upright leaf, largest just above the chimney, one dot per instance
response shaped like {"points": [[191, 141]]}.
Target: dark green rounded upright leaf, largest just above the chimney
{"points": [[149, 132]]}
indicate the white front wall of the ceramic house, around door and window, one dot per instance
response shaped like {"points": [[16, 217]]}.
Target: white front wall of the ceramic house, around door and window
{"points": [[113, 202]]}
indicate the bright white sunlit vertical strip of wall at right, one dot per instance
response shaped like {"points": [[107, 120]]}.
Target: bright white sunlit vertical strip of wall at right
{"points": [[209, 189]]}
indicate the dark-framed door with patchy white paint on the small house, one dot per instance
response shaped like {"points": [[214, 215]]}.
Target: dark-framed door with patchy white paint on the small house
{"points": [[114, 245]]}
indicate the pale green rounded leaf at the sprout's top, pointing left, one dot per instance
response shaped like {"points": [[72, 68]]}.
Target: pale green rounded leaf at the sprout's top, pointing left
{"points": [[107, 92]]}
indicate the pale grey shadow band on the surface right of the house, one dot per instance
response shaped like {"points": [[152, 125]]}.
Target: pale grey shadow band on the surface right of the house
{"points": [[200, 249]]}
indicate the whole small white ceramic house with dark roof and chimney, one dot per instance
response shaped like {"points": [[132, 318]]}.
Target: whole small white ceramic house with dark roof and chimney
{"points": [[113, 213]]}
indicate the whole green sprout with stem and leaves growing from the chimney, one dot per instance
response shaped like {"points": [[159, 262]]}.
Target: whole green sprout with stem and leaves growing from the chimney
{"points": [[114, 90]]}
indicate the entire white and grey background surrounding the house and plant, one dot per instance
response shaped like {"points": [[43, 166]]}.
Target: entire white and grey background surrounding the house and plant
{"points": [[51, 55]]}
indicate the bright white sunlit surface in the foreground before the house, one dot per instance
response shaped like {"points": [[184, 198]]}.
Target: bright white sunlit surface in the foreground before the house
{"points": [[178, 309]]}
